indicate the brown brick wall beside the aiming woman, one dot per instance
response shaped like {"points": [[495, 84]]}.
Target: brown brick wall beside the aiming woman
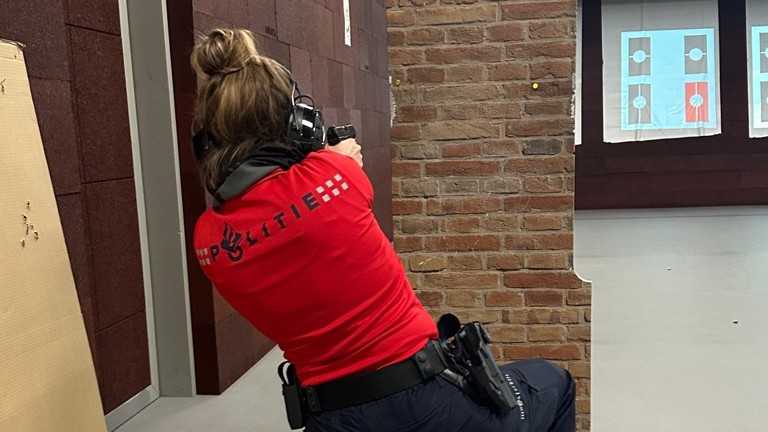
{"points": [[483, 172]]}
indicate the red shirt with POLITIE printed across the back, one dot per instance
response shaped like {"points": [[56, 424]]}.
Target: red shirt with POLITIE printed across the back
{"points": [[301, 256]]}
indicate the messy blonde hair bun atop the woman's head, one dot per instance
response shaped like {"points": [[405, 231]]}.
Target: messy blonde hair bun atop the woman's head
{"points": [[223, 51]]}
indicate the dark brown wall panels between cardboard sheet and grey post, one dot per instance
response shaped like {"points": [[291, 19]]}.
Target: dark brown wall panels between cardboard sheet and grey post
{"points": [[74, 58]]}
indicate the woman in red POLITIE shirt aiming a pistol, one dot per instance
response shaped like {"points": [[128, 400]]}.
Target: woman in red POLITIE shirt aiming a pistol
{"points": [[293, 246]]}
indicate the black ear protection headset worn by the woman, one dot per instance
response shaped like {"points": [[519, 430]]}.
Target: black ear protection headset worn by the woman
{"points": [[305, 125]]}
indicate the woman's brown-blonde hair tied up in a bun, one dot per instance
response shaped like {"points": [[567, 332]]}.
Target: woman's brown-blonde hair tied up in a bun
{"points": [[244, 99]]}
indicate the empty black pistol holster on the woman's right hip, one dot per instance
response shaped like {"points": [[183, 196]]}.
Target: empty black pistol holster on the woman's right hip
{"points": [[471, 365]]}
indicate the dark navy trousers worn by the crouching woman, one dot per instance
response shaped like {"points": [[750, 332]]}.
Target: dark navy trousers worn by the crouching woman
{"points": [[546, 398]]}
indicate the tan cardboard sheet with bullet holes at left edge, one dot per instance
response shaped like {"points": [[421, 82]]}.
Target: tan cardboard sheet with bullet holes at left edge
{"points": [[47, 378]]}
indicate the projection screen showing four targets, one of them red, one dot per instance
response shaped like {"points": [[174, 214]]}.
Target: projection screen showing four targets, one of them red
{"points": [[660, 69]]}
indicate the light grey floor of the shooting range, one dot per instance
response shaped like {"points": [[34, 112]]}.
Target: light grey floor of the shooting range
{"points": [[680, 330]]}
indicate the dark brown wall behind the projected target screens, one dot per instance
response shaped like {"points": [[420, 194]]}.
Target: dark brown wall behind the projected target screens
{"points": [[726, 169]]}
